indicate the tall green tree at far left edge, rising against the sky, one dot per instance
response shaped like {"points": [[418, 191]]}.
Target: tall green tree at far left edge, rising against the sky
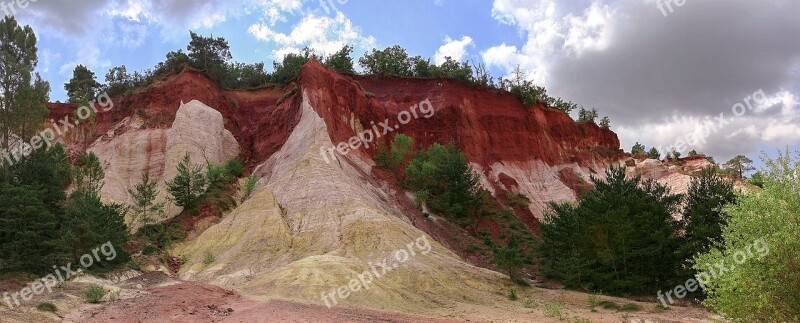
{"points": [[18, 59]]}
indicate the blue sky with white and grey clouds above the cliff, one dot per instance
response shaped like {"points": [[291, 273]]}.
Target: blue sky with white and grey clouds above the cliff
{"points": [[718, 76]]}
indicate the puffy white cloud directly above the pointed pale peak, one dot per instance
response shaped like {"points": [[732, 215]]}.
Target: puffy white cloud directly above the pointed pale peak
{"points": [[325, 35]]}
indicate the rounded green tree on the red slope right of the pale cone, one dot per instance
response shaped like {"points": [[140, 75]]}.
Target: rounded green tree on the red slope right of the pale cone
{"points": [[442, 177]]}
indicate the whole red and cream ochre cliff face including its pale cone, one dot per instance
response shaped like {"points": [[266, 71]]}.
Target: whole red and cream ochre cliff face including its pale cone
{"points": [[316, 222]]}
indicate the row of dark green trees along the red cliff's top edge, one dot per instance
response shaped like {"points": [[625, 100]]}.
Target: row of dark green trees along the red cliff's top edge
{"points": [[212, 55]]}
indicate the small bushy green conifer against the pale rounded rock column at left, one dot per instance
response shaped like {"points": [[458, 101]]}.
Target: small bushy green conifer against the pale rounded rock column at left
{"points": [[189, 186]]}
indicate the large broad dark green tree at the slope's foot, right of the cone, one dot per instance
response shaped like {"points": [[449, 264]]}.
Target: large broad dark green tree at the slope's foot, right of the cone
{"points": [[620, 237]]}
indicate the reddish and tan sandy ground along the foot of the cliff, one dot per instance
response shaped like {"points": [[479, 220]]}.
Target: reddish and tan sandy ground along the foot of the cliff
{"points": [[156, 297]]}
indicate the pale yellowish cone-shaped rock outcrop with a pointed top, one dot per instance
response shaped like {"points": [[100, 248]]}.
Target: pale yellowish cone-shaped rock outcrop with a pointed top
{"points": [[312, 227]]}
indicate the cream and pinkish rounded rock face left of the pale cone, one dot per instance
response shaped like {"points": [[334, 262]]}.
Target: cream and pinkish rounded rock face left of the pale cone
{"points": [[197, 130]]}
